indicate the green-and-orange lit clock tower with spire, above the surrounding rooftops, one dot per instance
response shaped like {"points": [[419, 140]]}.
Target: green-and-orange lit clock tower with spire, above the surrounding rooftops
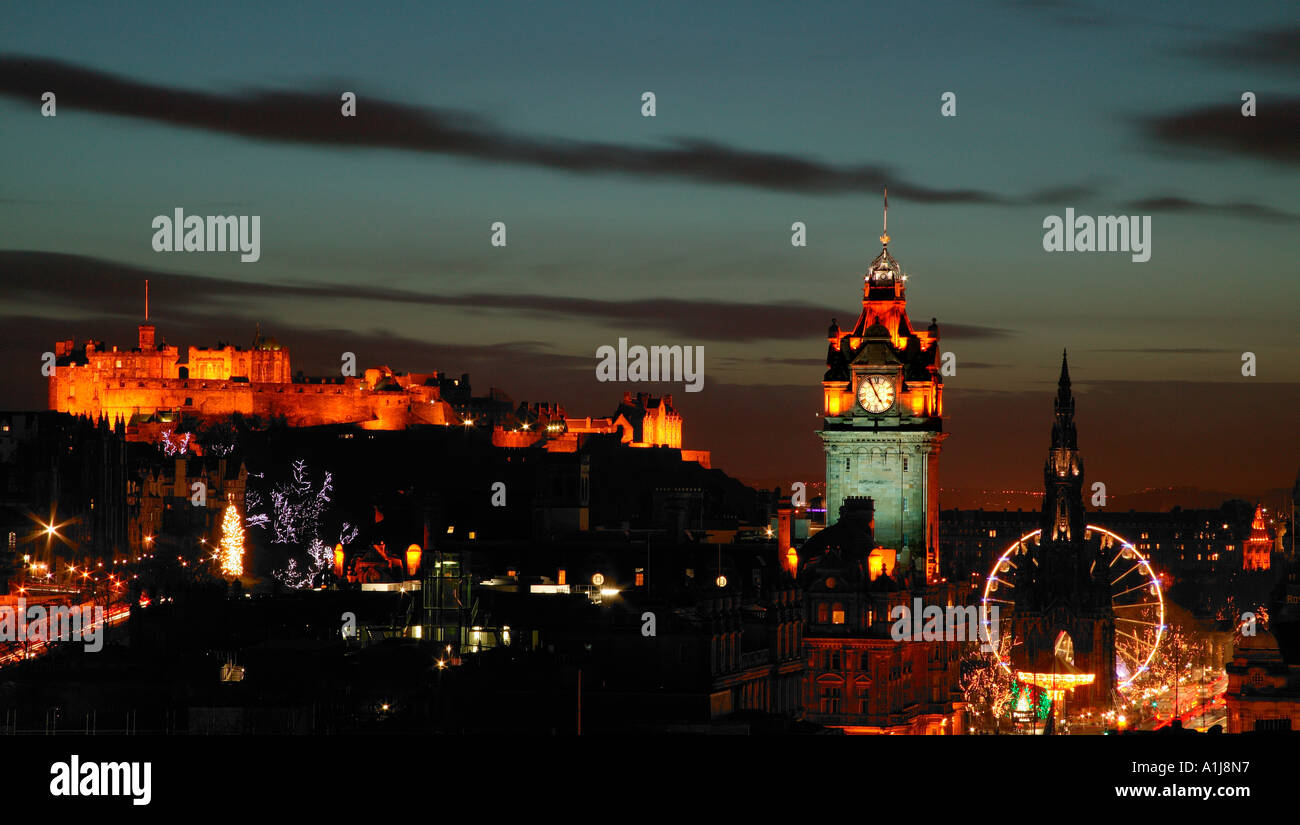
{"points": [[883, 418]]}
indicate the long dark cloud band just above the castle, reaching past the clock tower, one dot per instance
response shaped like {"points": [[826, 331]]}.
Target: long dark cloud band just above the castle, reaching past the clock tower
{"points": [[86, 285]]}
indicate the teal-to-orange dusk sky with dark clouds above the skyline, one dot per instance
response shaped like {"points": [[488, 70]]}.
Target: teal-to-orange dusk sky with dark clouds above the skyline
{"points": [[677, 229]]}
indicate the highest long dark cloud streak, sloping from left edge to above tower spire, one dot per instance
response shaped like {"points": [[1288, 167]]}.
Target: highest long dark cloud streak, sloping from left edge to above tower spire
{"points": [[314, 119]]}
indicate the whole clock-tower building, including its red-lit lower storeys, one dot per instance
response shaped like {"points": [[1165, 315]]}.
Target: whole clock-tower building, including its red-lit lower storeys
{"points": [[882, 431]]}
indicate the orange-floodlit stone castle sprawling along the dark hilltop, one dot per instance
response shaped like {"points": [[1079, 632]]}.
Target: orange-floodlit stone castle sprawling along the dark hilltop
{"points": [[151, 388]]}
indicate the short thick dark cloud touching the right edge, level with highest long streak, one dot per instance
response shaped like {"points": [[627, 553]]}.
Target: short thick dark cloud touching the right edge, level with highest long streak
{"points": [[1269, 136]]}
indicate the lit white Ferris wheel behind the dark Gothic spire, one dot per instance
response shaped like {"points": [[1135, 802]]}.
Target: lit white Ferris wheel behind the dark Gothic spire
{"points": [[1136, 594]]}
